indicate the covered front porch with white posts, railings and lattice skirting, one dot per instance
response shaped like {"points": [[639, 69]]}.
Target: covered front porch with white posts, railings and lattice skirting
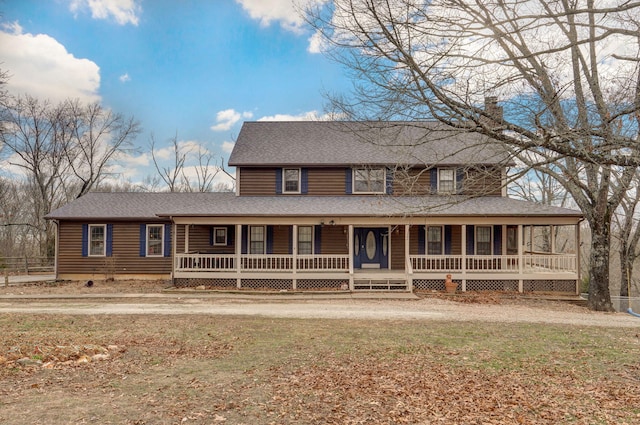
{"points": [[334, 253]]}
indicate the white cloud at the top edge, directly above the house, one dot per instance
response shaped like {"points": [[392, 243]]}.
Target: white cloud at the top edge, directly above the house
{"points": [[287, 12]]}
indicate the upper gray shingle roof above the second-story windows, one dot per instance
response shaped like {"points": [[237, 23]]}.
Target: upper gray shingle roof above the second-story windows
{"points": [[323, 143]]}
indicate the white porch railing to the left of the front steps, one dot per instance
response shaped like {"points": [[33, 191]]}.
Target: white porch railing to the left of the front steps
{"points": [[268, 262]]}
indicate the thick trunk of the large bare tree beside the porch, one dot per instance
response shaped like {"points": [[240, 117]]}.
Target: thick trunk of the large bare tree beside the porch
{"points": [[599, 296]]}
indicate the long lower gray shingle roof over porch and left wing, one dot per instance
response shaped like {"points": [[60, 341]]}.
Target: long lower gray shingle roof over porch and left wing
{"points": [[127, 206]]}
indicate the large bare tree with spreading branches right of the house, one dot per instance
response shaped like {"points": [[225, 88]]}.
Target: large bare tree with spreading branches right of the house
{"points": [[565, 70]]}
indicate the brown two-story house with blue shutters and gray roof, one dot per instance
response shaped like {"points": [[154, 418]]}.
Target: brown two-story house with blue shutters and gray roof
{"points": [[333, 205]]}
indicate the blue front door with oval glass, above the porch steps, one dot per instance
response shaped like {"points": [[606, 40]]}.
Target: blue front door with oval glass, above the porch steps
{"points": [[371, 247]]}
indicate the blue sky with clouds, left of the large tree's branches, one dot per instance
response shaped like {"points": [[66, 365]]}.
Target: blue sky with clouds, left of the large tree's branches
{"points": [[193, 67]]}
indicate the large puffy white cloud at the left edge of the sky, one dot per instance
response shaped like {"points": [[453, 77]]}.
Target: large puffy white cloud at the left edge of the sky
{"points": [[40, 66]]}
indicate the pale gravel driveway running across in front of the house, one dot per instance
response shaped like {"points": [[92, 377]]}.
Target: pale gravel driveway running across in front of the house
{"points": [[353, 309]]}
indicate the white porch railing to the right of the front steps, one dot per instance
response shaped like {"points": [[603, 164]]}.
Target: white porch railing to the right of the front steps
{"points": [[550, 263]]}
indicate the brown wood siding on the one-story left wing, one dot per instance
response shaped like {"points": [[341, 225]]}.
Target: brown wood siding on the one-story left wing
{"points": [[126, 252]]}
